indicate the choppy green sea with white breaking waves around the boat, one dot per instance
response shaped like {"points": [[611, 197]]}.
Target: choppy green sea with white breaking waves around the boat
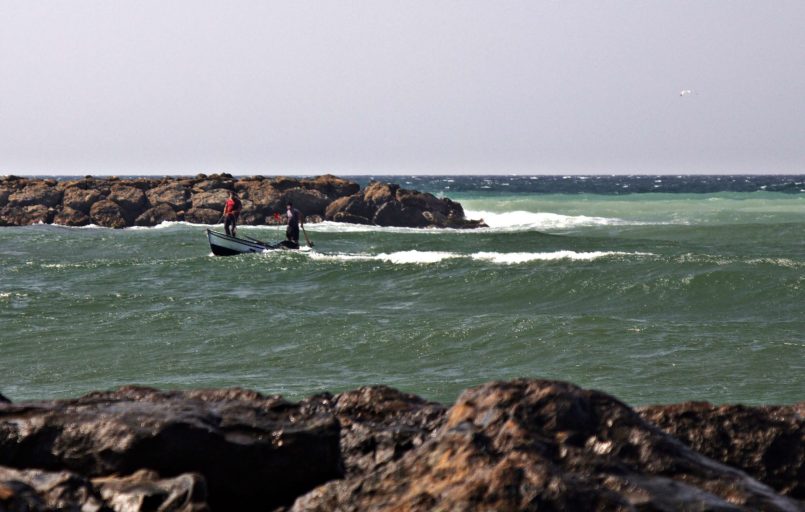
{"points": [[655, 289]]}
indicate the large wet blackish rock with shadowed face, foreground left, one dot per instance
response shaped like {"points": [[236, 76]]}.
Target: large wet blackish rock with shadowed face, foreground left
{"points": [[255, 452]]}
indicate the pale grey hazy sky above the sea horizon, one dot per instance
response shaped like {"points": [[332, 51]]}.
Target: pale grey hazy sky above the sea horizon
{"points": [[347, 87]]}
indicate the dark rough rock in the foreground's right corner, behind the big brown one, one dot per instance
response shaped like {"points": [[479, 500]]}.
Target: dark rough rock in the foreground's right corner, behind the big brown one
{"points": [[766, 442]]}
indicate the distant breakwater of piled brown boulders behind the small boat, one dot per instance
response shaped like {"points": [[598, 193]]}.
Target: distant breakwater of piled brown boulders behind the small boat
{"points": [[118, 203]]}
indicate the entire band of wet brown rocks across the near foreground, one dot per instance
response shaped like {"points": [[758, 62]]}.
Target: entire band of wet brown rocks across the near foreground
{"points": [[517, 445]]}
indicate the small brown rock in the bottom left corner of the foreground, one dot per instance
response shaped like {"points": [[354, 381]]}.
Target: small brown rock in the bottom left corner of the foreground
{"points": [[36, 490]]}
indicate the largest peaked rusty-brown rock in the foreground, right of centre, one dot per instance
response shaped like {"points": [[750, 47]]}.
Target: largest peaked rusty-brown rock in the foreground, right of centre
{"points": [[545, 445]]}
